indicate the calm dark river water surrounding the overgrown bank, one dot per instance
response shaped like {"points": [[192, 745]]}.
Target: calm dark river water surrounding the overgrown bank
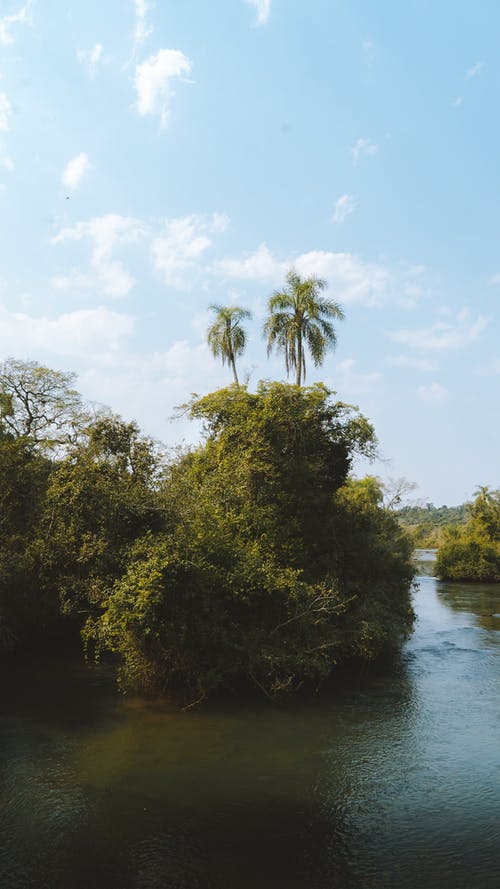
{"points": [[394, 781]]}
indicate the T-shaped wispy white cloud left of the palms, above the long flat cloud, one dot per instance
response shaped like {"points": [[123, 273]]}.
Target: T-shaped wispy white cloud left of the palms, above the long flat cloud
{"points": [[107, 232]]}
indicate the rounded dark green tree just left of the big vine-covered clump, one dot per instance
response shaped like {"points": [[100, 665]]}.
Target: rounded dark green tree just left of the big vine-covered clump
{"points": [[101, 497]]}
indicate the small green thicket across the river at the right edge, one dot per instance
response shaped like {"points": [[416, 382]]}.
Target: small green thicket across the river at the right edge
{"points": [[472, 551]]}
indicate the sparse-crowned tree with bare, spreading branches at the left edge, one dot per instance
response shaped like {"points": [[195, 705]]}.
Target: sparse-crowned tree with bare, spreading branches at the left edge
{"points": [[40, 404]]}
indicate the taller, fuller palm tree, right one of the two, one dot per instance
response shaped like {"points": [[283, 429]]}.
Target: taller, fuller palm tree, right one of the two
{"points": [[299, 316]]}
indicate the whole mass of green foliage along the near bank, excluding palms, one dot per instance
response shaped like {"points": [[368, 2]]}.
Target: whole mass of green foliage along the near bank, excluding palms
{"points": [[251, 558]]}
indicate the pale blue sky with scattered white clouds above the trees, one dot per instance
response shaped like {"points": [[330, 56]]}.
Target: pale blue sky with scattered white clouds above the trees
{"points": [[158, 157]]}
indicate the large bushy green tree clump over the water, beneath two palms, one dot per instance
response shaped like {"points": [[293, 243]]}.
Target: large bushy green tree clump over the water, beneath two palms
{"points": [[272, 567]]}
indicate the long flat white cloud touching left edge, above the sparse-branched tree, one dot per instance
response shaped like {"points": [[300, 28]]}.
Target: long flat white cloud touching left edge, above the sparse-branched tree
{"points": [[83, 332]]}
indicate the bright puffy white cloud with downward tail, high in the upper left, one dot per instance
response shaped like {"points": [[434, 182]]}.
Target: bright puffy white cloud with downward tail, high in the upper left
{"points": [[153, 82]]}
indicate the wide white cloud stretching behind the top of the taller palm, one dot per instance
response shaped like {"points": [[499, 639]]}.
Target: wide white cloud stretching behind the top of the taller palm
{"points": [[349, 278]]}
